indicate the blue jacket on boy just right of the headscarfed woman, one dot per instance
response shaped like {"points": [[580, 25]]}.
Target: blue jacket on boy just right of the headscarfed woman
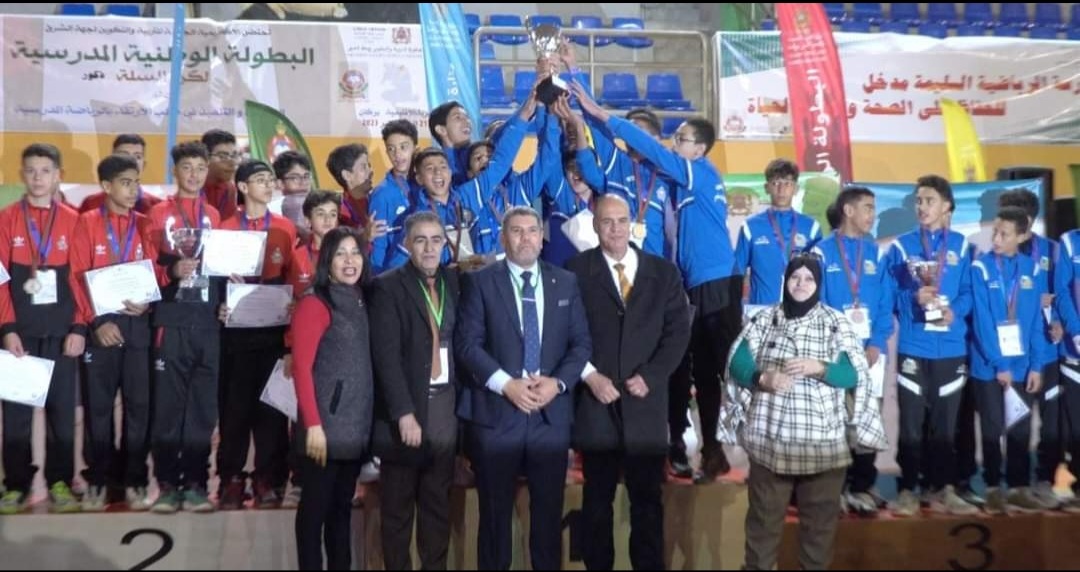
{"points": [[863, 264]]}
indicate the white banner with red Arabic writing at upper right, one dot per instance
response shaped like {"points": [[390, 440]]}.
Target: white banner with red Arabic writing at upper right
{"points": [[1017, 91]]}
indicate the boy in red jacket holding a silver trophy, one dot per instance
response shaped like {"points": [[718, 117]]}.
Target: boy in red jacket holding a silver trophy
{"points": [[186, 339]]}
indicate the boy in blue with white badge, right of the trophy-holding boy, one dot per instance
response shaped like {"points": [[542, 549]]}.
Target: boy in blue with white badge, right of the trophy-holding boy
{"points": [[1007, 357]]}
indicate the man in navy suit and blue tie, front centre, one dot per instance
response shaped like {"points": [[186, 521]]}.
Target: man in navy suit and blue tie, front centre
{"points": [[522, 335]]}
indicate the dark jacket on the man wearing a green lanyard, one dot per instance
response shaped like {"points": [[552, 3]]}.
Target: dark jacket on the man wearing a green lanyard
{"points": [[401, 348]]}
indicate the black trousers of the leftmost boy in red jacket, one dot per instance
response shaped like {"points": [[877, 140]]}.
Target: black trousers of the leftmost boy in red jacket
{"points": [[60, 424]]}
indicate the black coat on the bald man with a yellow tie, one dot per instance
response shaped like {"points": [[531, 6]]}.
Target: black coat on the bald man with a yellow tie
{"points": [[647, 337]]}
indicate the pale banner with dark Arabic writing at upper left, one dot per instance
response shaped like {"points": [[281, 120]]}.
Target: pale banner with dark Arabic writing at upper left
{"points": [[111, 76]]}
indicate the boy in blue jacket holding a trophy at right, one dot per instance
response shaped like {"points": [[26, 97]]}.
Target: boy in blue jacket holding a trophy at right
{"points": [[930, 273]]}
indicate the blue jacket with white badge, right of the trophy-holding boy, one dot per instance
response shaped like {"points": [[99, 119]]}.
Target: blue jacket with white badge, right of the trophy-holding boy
{"points": [[997, 282]]}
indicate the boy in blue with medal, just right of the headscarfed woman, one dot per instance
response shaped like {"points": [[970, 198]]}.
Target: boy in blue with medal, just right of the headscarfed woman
{"points": [[855, 284]]}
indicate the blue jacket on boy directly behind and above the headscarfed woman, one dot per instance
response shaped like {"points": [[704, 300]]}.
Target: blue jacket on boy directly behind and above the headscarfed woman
{"points": [[766, 243]]}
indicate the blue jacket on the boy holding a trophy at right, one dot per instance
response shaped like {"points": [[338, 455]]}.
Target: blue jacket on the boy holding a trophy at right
{"points": [[955, 284]]}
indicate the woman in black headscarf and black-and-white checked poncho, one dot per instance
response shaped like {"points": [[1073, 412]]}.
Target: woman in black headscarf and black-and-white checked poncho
{"points": [[799, 388]]}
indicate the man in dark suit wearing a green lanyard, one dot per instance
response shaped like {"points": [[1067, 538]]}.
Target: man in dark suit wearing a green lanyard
{"points": [[414, 311]]}
